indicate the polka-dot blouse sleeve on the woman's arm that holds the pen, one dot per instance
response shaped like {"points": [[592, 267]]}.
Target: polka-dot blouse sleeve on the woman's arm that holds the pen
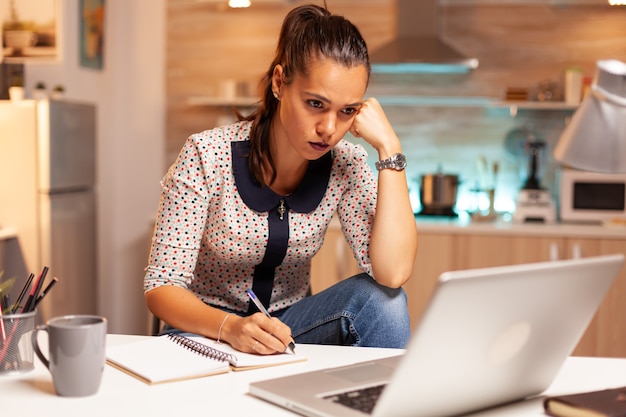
{"points": [[180, 219]]}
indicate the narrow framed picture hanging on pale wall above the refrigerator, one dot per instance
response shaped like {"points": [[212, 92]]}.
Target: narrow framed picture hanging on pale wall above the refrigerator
{"points": [[92, 34]]}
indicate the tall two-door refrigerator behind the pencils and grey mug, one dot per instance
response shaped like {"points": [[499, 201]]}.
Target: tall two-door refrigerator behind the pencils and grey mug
{"points": [[47, 194]]}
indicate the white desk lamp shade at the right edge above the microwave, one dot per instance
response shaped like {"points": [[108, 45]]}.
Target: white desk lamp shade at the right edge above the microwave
{"points": [[595, 138]]}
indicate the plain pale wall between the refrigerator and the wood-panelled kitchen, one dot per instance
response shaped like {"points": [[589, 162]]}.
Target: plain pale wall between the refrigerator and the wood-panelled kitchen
{"points": [[130, 96]]}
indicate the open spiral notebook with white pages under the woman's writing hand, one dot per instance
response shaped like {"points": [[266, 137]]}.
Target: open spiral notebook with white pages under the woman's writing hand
{"points": [[176, 357]]}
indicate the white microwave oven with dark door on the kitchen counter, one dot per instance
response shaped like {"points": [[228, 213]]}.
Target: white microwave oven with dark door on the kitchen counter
{"points": [[591, 197]]}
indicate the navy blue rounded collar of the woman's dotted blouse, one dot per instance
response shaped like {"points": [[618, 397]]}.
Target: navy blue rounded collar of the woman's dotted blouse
{"points": [[304, 199]]}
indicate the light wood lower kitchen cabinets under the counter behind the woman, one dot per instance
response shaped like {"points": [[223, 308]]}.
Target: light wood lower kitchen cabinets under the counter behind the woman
{"points": [[460, 248]]}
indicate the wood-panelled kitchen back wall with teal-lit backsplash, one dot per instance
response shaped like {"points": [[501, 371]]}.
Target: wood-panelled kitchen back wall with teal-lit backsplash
{"points": [[519, 44]]}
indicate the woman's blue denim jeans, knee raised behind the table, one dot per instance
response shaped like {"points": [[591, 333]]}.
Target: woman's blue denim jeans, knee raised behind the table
{"points": [[354, 312]]}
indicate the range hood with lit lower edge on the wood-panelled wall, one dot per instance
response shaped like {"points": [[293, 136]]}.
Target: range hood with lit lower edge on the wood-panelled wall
{"points": [[417, 47]]}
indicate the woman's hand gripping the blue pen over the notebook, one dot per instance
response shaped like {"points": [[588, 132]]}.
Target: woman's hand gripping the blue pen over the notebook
{"points": [[257, 334]]}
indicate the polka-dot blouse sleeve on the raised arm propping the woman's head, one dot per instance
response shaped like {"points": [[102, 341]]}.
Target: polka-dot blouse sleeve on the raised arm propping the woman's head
{"points": [[357, 205]]}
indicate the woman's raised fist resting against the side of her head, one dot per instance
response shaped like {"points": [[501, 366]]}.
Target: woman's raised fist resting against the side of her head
{"points": [[372, 125]]}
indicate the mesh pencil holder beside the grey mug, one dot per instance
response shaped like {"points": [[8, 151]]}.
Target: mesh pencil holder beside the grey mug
{"points": [[16, 349]]}
